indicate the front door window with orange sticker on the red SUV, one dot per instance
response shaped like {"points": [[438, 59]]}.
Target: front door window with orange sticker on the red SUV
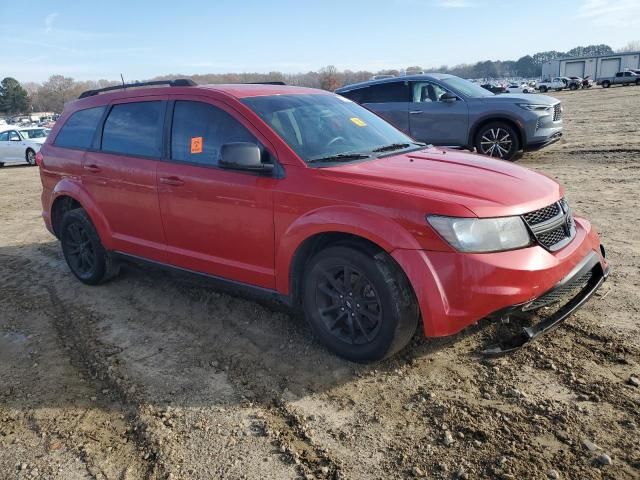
{"points": [[199, 130]]}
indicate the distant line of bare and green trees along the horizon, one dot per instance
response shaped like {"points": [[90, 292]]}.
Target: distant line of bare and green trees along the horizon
{"points": [[51, 95]]}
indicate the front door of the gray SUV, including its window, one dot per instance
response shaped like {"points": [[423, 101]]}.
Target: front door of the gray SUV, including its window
{"points": [[435, 121]]}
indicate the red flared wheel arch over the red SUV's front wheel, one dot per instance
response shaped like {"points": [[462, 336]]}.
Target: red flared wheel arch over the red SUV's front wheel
{"points": [[367, 224]]}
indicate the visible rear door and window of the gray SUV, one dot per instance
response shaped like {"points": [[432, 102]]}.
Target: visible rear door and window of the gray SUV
{"points": [[390, 100]]}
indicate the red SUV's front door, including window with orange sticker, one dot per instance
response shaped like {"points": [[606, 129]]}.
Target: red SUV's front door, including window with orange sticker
{"points": [[216, 221]]}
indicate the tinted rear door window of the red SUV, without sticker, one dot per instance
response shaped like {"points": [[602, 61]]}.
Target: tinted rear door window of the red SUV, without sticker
{"points": [[134, 129]]}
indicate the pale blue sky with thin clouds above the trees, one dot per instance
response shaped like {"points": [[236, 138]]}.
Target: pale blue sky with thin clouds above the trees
{"points": [[142, 39]]}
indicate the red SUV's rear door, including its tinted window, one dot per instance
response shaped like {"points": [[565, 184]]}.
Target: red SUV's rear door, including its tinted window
{"points": [[120, 175]]}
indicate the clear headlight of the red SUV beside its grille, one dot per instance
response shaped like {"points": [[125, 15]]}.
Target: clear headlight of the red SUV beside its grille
{"points": [[480, 235]]}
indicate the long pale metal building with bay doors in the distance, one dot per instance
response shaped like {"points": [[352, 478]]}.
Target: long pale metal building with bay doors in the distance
{"points": [[595, 67]]}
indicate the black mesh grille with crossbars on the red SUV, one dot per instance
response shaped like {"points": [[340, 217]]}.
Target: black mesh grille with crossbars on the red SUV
{"points": [[552, 226]]}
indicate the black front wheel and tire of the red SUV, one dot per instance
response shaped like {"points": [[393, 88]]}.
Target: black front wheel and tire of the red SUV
{"points": [[360, 306]]}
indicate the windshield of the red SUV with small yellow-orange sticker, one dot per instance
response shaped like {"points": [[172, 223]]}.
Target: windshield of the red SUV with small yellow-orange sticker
{"points": [[318, 127]]}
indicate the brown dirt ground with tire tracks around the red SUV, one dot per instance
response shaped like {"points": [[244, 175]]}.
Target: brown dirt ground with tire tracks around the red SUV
{"points": [[157, 375]]}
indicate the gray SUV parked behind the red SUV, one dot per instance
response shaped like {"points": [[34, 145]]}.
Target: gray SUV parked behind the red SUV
{"points": [[447, 110]]}
